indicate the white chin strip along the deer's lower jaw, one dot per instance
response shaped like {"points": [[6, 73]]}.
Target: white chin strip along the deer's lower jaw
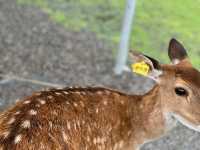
{"points": [[186, 123]]}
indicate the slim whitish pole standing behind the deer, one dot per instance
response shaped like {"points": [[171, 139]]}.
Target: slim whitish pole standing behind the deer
{"points": [[125, 37]]}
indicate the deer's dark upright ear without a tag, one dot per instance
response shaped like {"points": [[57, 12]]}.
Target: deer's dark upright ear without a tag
{"points": [[177, 52]]}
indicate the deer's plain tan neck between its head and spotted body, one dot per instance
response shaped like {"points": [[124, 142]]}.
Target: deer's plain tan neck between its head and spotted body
{"points": [[152, 118]]}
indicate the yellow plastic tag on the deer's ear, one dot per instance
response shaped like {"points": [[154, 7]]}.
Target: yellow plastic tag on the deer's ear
{"points": [[140, 68]]}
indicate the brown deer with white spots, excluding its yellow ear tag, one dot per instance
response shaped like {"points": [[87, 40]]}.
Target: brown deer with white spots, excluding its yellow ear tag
{"points": [[98, 118]]}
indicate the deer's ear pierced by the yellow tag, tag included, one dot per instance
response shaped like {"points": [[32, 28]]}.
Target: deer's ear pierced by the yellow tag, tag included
{"points": [[140, 60]]}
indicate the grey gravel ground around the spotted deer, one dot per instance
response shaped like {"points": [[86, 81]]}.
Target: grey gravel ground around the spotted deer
{"points": [[32, 46]]}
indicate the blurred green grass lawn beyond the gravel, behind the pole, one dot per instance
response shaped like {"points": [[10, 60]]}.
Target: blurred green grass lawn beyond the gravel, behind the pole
{"points": [[155, 22]]}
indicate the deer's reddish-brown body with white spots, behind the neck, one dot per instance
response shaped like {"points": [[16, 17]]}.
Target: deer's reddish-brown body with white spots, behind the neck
{"points": [[78, 118]]}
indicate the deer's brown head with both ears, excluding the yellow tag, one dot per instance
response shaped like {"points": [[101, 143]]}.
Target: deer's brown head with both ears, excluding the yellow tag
{"points": [[179, 85]]}
